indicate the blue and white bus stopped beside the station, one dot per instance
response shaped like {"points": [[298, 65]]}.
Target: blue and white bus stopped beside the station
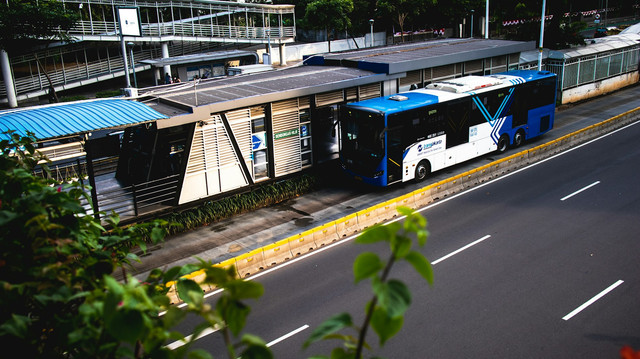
{"points": [[408, 135]]}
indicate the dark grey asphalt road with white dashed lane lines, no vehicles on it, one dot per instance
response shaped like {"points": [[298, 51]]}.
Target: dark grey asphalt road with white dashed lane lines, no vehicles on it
{"points": [[538, 245]]}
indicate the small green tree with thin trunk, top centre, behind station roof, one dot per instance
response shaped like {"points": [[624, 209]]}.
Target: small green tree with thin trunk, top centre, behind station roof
{"points": [[329, 15]]}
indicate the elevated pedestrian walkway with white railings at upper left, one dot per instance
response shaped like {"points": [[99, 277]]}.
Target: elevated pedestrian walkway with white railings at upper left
{"points": [[169, 29]]}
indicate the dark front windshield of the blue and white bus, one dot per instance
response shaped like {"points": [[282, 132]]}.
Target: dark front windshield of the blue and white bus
{"points": [[362, 145]]}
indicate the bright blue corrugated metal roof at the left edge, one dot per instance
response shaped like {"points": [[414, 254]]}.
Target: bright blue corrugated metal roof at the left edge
{"points": [[60, 120]]}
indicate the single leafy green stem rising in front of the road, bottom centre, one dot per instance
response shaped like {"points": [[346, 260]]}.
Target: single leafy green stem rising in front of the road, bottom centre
{"points": [[391, 297]]}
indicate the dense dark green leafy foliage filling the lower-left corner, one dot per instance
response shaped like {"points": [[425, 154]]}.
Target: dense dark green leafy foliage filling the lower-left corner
{"points": [[56, 286]]}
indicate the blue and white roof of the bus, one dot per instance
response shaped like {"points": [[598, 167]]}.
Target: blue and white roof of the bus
{"points": [[448, 90]]}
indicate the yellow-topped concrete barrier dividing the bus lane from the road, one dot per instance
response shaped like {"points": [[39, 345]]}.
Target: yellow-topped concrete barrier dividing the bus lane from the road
{"points": [[272, 254]]}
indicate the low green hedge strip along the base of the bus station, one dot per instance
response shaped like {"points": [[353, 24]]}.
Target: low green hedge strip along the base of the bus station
{"points": [[263, 196]]}
